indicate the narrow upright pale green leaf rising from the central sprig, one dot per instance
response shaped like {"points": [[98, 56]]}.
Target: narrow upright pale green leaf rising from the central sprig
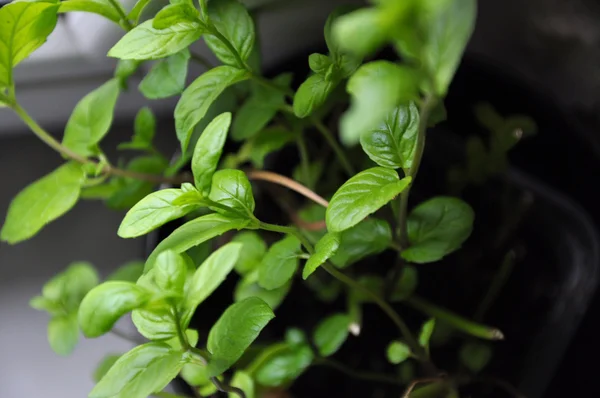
{"points": [[208, 151]]}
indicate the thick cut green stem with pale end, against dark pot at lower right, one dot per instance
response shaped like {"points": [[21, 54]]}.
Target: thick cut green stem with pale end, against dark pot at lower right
{"points": [[457, 321]]}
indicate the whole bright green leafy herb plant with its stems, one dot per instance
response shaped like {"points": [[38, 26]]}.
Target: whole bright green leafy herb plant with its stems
{"points": [[392, 103]]}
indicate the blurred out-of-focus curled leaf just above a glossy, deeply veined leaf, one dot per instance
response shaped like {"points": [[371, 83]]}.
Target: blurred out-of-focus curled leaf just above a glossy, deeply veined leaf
{"points": [[376, 89]]}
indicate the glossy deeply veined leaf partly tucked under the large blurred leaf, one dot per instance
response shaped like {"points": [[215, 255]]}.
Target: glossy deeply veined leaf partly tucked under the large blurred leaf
{"points": [[393, 143]]}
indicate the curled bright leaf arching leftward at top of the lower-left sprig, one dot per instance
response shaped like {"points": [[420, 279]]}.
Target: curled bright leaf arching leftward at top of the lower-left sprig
{"points": [[106, 303]]}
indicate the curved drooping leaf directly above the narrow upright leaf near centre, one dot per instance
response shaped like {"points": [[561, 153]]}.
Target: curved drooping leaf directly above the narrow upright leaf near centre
{"points": [[197, 98]]}
